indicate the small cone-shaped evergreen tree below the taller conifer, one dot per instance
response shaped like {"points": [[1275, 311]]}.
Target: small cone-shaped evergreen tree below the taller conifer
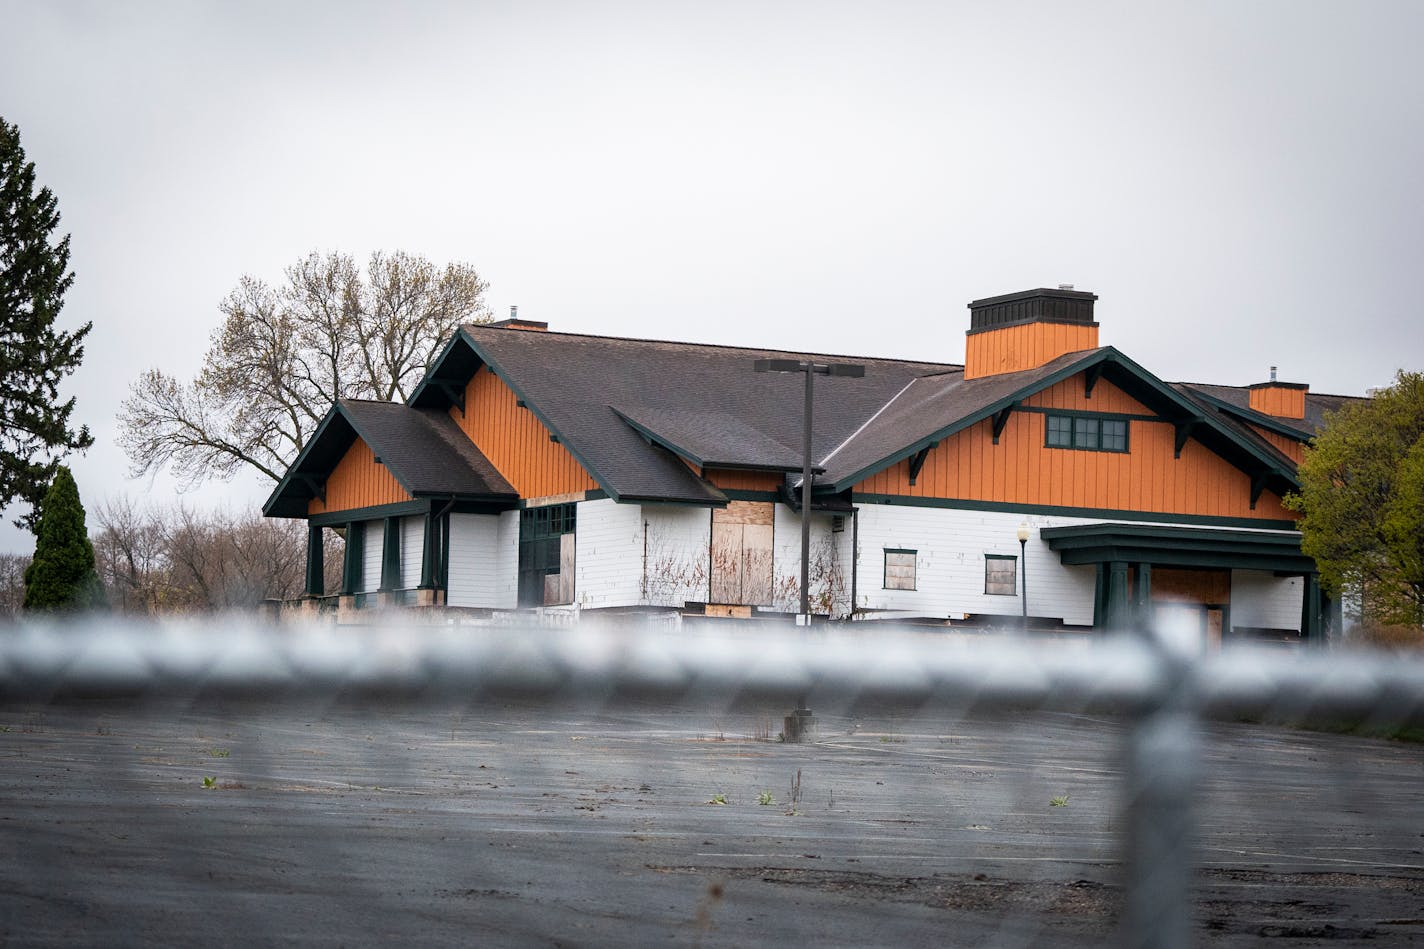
{"points": [[62, 575]]}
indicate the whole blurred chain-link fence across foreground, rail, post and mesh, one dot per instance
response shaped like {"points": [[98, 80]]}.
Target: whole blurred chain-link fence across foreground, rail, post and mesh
{"points": [[632, 784]]}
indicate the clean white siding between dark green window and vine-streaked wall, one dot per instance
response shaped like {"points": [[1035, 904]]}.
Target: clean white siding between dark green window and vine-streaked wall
{"points": [[607, 554]]}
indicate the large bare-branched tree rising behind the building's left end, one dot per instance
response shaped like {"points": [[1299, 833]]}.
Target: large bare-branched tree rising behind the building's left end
{"points": [[286, 354]]}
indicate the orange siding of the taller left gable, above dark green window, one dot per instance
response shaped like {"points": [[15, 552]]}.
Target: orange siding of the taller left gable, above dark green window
{"points": [[516, 442]]}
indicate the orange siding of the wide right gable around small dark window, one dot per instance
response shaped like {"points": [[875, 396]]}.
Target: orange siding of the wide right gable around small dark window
{"points": [[1022, 471]]}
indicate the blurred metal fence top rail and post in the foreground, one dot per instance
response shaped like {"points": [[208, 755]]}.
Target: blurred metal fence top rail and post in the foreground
{"points": [[1163, 695]]}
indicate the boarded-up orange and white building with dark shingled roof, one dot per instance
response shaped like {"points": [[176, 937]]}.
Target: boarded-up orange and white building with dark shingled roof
{"points": [[572, 474]]}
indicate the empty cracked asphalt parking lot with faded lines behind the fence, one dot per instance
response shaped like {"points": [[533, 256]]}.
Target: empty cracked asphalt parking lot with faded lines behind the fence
{"points": [[508, 824]]}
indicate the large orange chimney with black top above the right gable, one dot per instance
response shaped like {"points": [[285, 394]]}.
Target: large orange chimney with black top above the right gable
{"points": [[1023, 331]]}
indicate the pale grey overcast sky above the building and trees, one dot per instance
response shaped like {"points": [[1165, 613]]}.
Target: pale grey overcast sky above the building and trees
{"points": [[1240, 183]]}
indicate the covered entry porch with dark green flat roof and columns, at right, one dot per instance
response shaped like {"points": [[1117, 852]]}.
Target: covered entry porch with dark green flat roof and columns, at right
{"points": [[1141, 566]]}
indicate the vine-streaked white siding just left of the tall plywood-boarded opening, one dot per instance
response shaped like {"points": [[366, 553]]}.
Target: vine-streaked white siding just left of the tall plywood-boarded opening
{"points": [[674, 551]]}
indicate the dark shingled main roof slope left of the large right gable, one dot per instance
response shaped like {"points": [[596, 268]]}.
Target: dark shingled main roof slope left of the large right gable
{"points": [[626, 407]]}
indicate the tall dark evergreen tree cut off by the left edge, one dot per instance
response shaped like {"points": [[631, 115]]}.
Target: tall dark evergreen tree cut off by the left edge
{"points": [[35, 357]]}
